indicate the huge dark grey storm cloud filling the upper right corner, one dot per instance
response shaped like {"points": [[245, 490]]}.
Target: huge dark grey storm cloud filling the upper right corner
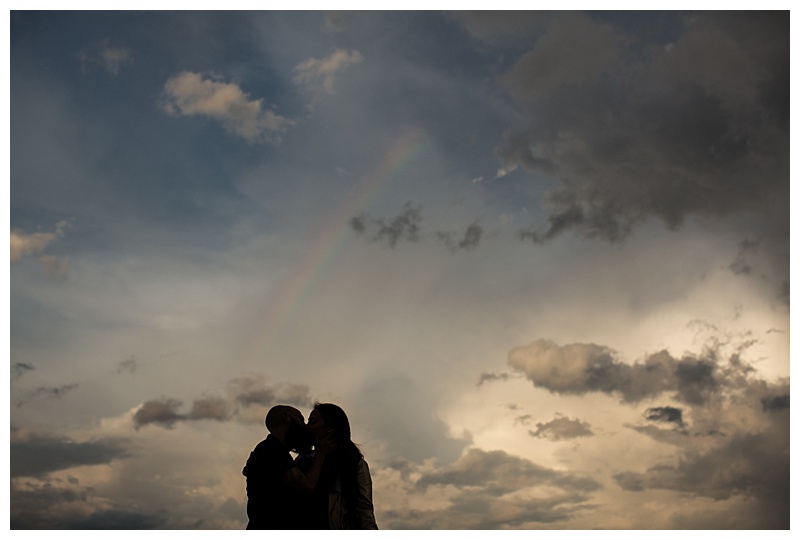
{"points": [[634, 126]]}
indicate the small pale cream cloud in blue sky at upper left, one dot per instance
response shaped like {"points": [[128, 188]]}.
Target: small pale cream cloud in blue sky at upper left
{"points": [[192, 94]]}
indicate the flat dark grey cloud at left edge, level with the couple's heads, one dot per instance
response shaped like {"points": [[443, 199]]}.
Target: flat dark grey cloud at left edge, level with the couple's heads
{"points": [[38, 454]]}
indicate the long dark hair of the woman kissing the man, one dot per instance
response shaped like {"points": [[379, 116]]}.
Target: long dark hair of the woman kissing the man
{"points": [[344, 460]]}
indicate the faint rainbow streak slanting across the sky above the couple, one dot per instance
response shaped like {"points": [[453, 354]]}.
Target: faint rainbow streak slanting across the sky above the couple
{"points": [[332, 236]]}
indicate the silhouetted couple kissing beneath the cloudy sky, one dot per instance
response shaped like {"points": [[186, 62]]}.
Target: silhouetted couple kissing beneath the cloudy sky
{"points": [[328, 487]]}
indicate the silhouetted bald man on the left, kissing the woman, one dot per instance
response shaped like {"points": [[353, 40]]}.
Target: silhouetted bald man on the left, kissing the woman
{"points": [[277, 491]]}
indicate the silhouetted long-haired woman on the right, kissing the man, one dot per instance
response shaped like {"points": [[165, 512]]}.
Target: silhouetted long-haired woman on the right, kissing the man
{"points": [[343, 498]]}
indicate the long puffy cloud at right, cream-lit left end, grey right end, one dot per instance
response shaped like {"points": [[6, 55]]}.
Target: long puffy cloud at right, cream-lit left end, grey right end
{"points": [[582, 368]]}
